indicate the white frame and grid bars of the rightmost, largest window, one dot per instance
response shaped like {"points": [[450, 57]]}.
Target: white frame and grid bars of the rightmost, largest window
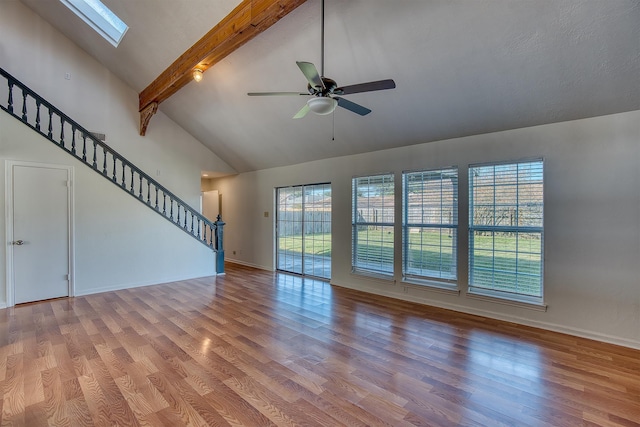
{"points": [[480, 291]]}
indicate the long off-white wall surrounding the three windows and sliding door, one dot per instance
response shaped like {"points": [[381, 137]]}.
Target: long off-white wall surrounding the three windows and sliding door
{"points": [[592, 220]]}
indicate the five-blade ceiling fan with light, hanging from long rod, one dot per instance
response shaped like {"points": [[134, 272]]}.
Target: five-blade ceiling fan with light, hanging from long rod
{"points": [[325, 91]]}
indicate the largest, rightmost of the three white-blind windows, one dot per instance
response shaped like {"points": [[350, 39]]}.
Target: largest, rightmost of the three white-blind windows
{"points": [[506, 230]]}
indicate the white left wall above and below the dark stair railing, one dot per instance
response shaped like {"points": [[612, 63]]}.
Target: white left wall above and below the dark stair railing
{"points": [[119, 242]]}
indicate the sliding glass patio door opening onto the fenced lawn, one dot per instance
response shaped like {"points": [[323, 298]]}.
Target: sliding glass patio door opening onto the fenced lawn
{"points": [[303, 230]]}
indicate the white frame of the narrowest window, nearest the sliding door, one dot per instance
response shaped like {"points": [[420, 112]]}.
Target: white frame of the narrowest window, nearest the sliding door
{"points": [[356, 223]]}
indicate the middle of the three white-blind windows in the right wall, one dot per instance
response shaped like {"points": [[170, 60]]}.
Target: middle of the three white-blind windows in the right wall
{"points": [[430, 225]]}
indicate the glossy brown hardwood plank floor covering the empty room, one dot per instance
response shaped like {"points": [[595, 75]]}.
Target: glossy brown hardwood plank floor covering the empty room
{"points": [[255, 348]]}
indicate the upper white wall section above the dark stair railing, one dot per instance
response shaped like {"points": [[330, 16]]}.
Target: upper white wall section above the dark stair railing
{"points": [[39, 56]]}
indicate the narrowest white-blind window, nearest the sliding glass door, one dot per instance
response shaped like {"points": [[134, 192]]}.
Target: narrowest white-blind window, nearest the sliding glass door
{"points": [[372, 224]]}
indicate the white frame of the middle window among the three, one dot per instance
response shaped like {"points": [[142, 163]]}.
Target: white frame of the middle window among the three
{"points": [[444, 281]]}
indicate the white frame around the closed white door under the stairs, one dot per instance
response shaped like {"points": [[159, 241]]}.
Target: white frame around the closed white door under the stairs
{"points": [[10, 279]]}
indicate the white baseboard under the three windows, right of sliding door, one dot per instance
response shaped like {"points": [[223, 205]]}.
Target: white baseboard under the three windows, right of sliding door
{"points": [[569, 330]]}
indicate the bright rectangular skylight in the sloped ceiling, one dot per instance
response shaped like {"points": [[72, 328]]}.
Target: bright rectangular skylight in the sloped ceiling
{"points": [[100, 18]]}
